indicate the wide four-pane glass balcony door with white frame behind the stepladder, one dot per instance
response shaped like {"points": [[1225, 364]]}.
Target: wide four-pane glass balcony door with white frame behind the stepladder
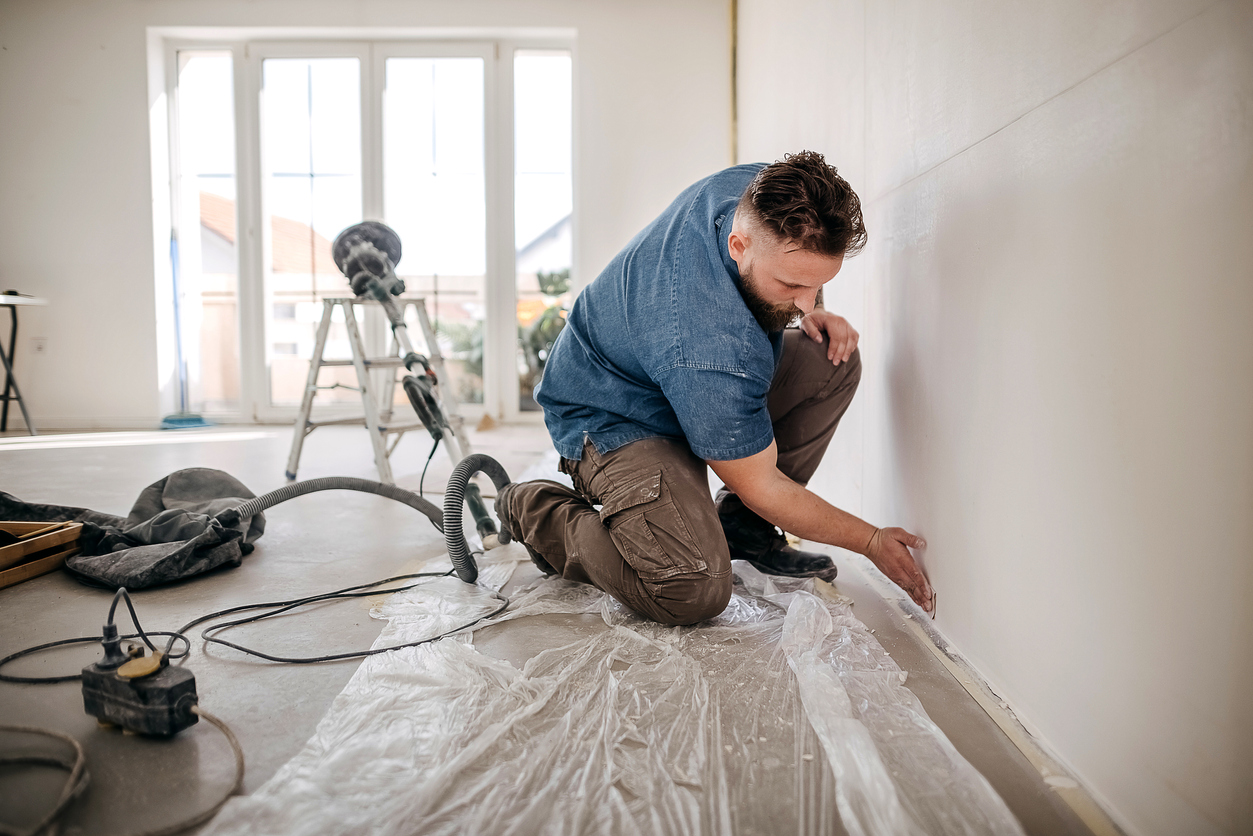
{"points": [[463, 149]]}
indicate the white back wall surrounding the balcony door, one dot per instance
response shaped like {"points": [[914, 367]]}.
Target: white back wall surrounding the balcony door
{"points": [[77, 222]]}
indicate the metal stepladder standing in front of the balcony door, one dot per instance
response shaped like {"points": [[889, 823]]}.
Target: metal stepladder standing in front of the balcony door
{"points": [[379, 412]]}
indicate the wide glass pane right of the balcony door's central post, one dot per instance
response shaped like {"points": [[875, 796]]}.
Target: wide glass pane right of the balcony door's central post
{"points": [[435, 200]]}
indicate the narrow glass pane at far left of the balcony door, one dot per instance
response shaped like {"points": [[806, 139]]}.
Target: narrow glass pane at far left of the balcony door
{"points": [[206, 256]]}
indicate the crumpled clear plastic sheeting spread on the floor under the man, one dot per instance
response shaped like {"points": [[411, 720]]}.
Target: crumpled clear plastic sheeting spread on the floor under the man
{"points": [[782, 716]]}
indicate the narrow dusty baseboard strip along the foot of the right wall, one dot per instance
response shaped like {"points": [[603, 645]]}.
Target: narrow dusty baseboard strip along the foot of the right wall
{"points": [[1052, 768]]}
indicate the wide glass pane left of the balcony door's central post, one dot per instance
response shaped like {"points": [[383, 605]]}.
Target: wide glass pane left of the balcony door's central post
{"points": [[311, 190]]}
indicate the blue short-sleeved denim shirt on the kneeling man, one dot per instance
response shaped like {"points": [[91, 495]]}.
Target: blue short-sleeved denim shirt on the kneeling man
{"points": [[662, 344]]}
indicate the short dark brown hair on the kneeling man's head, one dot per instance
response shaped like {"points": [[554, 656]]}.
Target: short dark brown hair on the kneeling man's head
{"points": [[805, 201]]}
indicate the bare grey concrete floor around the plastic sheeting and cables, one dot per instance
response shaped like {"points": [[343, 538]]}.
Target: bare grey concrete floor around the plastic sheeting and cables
{"points": [[314, 545]]}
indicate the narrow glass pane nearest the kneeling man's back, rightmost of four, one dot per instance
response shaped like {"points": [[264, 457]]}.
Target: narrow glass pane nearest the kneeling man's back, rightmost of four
{"points": [[543, 205]]}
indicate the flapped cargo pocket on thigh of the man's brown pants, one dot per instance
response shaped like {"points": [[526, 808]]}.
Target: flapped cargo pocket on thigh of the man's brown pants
{"points": [[650, 530]]}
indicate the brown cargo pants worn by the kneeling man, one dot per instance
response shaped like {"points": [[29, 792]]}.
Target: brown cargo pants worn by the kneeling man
{"points": [[656, 543]]}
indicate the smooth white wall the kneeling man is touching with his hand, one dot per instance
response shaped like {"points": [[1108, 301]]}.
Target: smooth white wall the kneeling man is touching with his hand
{"points": [[1058, 389]]}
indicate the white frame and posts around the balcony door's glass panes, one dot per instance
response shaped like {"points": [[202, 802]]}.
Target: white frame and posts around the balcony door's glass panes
{"points": [[373, 50]]}
